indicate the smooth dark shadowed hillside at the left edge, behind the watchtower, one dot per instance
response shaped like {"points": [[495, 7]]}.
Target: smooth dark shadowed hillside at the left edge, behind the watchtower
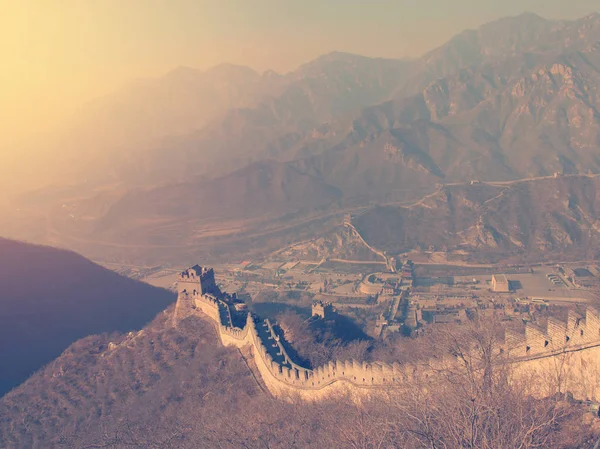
{"points": [[50, 298]]}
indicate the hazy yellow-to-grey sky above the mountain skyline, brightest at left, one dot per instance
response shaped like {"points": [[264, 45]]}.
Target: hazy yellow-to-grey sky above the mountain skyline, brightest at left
{"points": [[57, 54]]}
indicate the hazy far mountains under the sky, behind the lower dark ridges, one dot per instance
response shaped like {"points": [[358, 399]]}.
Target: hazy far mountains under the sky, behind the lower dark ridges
{"points": [[514, 84]]}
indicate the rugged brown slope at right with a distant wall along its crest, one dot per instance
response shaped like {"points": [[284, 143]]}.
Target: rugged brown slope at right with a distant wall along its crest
{"points": [[546, 218]]}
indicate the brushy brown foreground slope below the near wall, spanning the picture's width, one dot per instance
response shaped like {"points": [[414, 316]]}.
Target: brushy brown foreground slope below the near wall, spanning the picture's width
{"points": [[166, 387]]}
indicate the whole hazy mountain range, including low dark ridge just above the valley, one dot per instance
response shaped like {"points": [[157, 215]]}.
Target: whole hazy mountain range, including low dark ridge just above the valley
{"points": [[517, 98]]}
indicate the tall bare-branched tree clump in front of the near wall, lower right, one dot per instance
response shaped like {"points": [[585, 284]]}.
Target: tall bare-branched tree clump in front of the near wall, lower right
{"points": [[474, 401]]}
